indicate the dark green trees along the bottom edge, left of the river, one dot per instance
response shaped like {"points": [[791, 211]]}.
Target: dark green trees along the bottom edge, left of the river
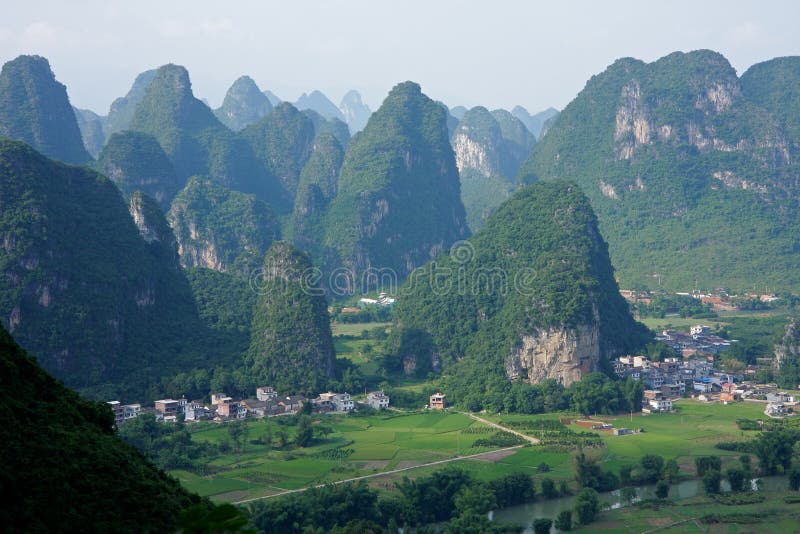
{"points": [[450, 498]]}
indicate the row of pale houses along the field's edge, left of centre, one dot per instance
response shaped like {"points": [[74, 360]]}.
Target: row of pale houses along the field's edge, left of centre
{"points": [[267, 403]]}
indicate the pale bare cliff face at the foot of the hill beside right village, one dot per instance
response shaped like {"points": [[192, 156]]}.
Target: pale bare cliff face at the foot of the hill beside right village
{"points": [[561, 354]]}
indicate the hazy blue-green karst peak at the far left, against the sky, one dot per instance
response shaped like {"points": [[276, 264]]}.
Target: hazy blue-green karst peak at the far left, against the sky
{"points": [[34, 108]]}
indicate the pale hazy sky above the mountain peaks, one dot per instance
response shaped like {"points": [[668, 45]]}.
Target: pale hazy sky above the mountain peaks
{"points": [[496, 54]]}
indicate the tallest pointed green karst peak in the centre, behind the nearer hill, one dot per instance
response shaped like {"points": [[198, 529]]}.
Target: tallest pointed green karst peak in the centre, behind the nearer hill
{"points": [[398, 184]]}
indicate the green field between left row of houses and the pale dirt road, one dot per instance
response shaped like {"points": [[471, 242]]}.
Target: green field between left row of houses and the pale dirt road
{"points": [[357, 446]]}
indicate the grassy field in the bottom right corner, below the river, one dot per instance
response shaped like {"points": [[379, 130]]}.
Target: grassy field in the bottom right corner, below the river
{"points": [[692, 515]]}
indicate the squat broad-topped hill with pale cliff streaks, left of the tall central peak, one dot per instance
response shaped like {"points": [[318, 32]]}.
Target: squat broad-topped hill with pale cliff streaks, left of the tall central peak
{"points": [[222, 229]]}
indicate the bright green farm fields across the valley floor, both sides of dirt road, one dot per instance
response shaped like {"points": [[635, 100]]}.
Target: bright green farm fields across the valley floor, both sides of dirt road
{"points": [[366, 445]]}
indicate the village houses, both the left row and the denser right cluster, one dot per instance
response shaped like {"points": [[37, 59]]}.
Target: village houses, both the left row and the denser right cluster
{"points": [[690, 373]]}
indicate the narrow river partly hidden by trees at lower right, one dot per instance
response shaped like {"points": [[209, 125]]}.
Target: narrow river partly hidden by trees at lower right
{"points": [[524, 514]]}
